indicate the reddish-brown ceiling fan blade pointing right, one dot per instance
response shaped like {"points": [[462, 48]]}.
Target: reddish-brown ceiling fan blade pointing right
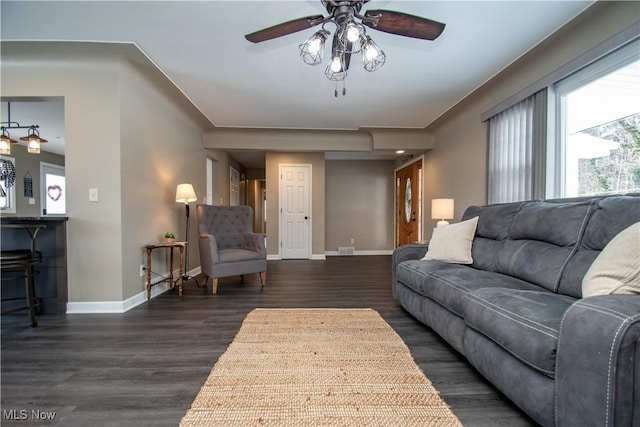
{"points": [[403, 24]]}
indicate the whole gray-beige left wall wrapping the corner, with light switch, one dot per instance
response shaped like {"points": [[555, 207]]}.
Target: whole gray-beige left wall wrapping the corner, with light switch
{"points": [[142, 145]]}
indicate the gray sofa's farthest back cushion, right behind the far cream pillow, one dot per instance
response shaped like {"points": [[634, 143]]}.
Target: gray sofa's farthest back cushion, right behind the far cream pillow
{"points": [[494, 222]]}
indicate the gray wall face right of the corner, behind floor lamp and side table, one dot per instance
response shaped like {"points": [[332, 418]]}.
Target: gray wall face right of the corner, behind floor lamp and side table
{"points": [[161, 147]]}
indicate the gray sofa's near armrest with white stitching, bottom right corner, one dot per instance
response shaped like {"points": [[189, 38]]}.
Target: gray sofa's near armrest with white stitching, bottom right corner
{"points": [[597, 378]]}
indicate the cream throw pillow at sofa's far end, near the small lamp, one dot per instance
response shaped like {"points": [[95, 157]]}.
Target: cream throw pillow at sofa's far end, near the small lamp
{"points": [[452, 243]]}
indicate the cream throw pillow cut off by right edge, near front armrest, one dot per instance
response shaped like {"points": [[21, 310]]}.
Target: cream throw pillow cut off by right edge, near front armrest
{"points": [[616, 270]]}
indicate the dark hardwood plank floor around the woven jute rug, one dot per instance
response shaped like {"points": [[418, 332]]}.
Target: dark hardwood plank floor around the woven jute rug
{"points": [[144, 367]]}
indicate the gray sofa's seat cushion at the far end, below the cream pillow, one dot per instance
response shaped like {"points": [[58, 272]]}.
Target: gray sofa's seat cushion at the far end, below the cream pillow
{"points": [[447, 284]]}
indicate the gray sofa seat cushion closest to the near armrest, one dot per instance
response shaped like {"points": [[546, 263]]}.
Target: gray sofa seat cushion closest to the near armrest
{"points": [[524, 323]]}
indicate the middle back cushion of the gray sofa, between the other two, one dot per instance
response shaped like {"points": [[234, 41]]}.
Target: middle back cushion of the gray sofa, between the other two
{"points": [[542, 240]]}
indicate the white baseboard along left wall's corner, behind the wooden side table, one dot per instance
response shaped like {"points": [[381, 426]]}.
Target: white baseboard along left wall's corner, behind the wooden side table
{"points": [[106, 307]]}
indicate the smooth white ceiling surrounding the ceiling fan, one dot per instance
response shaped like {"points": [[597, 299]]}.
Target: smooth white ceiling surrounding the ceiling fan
{"points": [[200, 46]]}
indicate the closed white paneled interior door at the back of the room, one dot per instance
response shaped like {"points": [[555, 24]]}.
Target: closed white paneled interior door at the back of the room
{"points": [[295, 211]]}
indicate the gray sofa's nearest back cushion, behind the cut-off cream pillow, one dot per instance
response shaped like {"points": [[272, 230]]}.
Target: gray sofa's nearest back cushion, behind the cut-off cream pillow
{"points": [[611, 215]]}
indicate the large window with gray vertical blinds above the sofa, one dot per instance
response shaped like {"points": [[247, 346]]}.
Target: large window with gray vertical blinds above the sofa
{"points": [[576, 132]]}
